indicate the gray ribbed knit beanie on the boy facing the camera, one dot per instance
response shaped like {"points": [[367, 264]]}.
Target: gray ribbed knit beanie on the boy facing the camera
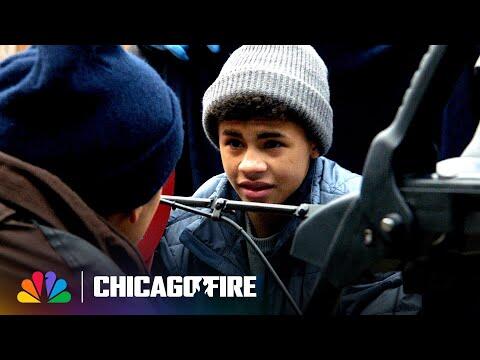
{"points": [[291, 74]]}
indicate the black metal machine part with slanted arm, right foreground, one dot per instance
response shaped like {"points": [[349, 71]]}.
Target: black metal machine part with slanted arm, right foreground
{"points": [[381, 222]]}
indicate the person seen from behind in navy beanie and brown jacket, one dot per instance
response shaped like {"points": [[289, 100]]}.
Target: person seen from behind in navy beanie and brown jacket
{"points": [[88, 136]]}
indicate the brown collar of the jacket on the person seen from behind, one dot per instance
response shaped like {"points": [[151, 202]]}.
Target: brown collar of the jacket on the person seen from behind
{"points": [[30, 189]]}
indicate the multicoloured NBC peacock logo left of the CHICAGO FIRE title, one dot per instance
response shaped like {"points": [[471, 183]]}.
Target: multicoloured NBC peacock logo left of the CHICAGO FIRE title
{"points": [[55, 289]]}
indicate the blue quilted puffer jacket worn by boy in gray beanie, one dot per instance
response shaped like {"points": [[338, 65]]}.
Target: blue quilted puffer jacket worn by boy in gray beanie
{"points": [[195, 245]]}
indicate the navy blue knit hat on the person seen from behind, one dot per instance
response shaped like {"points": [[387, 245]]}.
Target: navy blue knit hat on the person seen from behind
{"points": [[97, 117]]}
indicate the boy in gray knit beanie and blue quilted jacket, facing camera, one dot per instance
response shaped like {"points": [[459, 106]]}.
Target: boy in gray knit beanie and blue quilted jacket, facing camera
{"points": [[268, 113]]}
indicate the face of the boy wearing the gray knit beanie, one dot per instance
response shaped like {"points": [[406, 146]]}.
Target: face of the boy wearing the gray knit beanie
{"points": [[265, 160]]}
